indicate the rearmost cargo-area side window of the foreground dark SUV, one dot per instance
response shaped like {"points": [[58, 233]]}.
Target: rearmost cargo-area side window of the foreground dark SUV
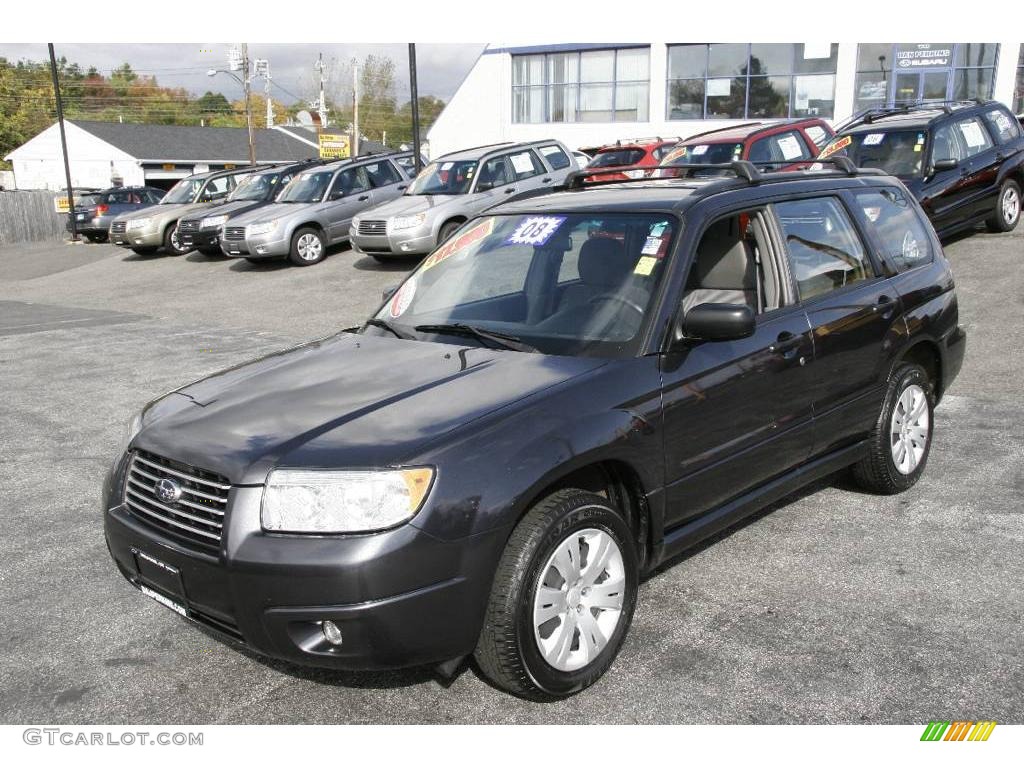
{"points": [[897, 227]]}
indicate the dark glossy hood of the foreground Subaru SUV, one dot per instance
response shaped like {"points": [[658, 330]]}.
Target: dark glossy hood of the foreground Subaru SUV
{"points": [[349, 401]]}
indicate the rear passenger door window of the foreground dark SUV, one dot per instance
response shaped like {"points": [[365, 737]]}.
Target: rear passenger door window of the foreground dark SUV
{"points": [[826, 252]]}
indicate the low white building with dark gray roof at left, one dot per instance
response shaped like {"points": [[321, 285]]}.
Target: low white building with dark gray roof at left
{"points": [[102, 154]]}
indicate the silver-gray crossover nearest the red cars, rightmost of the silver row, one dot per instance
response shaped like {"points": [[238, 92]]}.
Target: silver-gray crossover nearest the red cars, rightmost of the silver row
{"points": [[453, 190]]}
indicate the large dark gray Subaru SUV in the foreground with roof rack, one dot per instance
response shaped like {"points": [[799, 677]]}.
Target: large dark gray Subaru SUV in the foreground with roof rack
{"points": [[568, 393]]}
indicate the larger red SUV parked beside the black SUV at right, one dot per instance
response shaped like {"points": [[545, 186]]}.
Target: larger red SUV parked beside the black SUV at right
{"points": [[764, 144]]}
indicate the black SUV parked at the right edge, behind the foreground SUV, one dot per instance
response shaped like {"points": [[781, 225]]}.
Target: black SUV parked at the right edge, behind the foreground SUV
{"points": [[963, 161]]}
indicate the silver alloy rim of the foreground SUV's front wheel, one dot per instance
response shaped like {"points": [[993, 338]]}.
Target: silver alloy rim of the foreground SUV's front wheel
{"points": [[578, 603]]}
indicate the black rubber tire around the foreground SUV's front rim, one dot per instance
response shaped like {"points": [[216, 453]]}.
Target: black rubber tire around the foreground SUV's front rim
{"points": [[508, 652]]}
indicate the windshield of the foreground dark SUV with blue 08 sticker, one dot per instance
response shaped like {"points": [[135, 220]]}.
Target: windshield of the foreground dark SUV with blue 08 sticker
{"points": [[566, 284]]}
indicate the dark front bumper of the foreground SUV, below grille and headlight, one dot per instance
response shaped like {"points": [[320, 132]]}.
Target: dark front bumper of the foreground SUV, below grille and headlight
{"points": [[401, 599]]}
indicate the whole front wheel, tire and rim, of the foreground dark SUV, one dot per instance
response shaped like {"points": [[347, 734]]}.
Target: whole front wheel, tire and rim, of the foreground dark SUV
{"points": [[563, 599]]}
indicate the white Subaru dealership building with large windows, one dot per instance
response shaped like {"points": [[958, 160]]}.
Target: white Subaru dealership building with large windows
{"points": [[588, 95]]}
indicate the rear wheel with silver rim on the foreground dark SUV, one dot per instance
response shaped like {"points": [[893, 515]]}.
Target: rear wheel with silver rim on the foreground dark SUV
{"points": [[902, 441]]}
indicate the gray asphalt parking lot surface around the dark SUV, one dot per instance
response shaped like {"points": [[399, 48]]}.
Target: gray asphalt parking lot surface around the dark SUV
{"points": [[835, 608]]}
